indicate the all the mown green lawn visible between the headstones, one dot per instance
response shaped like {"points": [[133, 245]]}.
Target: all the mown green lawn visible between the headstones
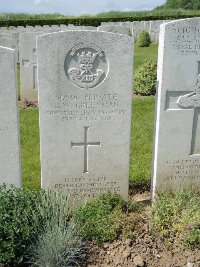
{"points": [[141, 136]]}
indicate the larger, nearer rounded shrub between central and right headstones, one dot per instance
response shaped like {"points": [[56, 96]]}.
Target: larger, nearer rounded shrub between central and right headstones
{"points": [[145, 78]]}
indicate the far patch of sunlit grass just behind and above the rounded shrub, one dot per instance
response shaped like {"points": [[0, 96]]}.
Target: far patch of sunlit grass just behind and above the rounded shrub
{"points": [[143, 53]]}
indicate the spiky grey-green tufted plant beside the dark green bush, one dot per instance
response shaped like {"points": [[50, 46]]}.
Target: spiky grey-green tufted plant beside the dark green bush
{"points": [[59, 244]]}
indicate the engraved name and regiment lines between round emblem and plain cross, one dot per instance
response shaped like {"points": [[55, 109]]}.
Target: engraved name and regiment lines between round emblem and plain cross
{"points": [[86, 107]]}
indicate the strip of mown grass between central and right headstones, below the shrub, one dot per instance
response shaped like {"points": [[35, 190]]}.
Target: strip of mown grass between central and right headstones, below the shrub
{"points": [[141, 140]]}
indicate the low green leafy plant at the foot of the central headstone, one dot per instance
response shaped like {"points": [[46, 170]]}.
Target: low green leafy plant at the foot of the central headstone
{"points": [[102, 219]]}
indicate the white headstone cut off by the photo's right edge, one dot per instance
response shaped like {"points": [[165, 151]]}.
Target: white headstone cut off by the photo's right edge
{"points": [[177, 131]]}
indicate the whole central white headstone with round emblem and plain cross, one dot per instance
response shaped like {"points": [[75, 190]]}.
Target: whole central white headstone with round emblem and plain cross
{"points": [[85, 96]]}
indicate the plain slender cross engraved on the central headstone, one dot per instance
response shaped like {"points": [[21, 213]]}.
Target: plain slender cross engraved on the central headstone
{"points": [[85, 144]]}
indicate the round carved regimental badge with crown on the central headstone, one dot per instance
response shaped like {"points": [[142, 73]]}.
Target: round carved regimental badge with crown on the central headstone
{"points": [[86, 65]]}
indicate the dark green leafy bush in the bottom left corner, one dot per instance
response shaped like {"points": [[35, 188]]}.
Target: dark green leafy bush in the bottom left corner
{"points": [[17, 226]]}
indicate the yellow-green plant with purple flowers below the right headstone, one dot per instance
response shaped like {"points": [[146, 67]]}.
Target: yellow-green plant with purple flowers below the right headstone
{"points": [[177, 215]]}
